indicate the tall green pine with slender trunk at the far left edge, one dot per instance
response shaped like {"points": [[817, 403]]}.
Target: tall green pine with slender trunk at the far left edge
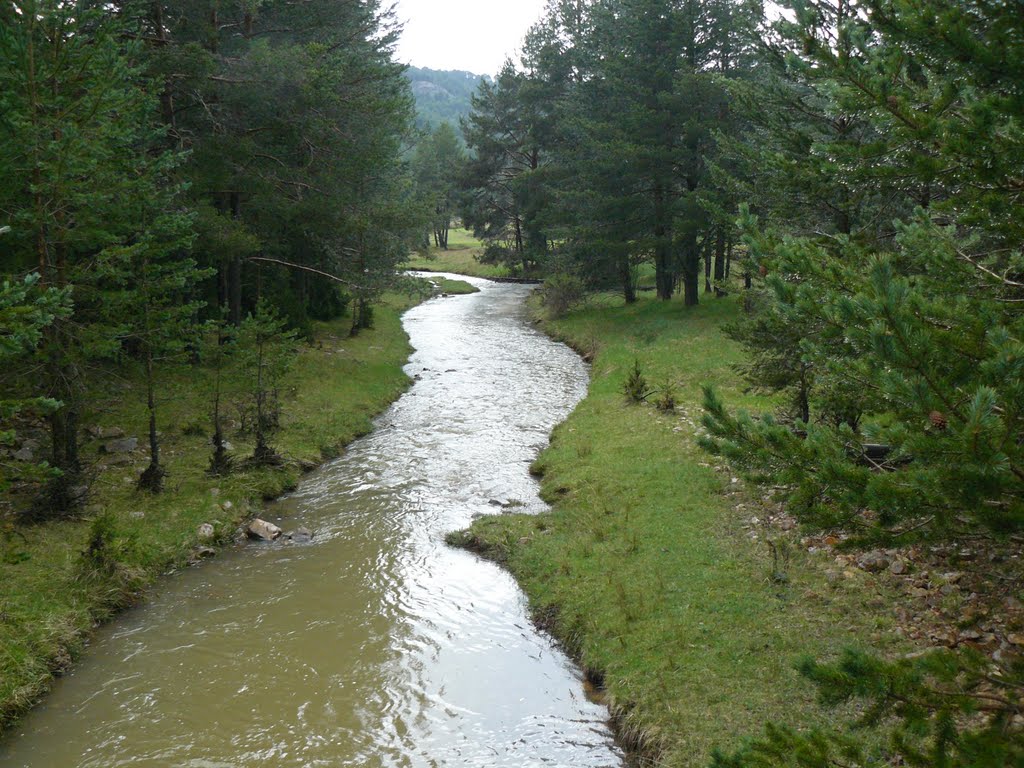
{"points": [[77, 121]]}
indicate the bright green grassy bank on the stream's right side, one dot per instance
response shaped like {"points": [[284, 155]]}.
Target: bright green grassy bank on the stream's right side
{"points": [[651, 568]]}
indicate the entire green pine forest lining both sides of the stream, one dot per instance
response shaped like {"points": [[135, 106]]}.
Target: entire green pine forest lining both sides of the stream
{"points": [[199, 184]]}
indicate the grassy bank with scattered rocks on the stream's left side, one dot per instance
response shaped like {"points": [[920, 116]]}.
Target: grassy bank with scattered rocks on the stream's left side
{"points": [[54, 595]]}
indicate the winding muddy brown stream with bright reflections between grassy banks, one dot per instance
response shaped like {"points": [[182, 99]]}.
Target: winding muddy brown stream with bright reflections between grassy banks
{"points": [[376, 645]]}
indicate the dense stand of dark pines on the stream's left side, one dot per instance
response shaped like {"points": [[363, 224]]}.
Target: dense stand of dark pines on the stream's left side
{"points": [[177, 172]]}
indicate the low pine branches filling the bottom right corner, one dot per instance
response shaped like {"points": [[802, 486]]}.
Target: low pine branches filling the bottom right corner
{"points": [[941, 709]]}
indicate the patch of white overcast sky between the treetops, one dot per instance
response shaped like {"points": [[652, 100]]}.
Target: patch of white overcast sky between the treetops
{"points": [[473, 35]]}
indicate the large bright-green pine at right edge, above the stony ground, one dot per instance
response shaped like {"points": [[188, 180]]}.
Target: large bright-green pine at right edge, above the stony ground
{"points": [[914, 344]]}
